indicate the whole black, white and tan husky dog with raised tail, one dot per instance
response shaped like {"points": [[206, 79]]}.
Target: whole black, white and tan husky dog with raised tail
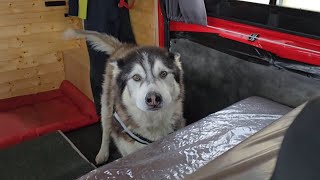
{"points": [[142, 94]]}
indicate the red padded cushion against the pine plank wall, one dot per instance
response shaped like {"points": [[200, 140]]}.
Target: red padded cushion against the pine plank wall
{"points": [[26, 117]]}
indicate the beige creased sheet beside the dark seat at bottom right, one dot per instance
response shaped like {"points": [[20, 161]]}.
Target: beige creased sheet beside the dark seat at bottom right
{"points": [[255, 158]]}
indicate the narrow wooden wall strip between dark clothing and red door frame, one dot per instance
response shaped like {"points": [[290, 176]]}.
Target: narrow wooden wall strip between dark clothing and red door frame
{"points": [[144, 21]]}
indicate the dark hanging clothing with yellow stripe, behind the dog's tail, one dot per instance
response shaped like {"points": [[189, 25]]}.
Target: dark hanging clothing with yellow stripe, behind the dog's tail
{"points": [[103, 16]]}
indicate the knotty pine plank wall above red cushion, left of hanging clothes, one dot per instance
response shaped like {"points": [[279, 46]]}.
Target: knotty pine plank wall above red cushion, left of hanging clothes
{"points": [[32, 48]]}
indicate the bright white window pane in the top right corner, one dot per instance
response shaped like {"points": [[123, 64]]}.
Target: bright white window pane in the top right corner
{"points": [[311, 5]]}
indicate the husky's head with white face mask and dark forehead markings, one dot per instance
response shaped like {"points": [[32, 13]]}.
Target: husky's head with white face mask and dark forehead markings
{"points": [[149, 78]]}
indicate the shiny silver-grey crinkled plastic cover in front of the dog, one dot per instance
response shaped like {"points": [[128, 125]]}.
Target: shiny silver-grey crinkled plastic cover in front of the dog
{"points": [[184, 151]]}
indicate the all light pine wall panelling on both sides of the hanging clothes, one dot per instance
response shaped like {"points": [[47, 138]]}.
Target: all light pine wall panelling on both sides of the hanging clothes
{"points": [[33, 55]]}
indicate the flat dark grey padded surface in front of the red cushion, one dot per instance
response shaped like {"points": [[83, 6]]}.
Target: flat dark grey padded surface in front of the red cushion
{"points": [[47, 157]]}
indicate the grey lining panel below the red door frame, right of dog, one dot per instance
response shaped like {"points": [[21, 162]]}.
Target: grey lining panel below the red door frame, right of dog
{"points": [[215, 80]]}
